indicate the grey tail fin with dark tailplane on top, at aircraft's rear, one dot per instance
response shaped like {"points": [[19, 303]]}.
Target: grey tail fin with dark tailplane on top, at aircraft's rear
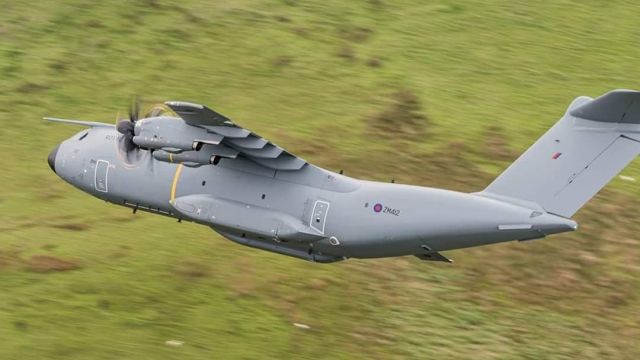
{"points": [[567, 166]]}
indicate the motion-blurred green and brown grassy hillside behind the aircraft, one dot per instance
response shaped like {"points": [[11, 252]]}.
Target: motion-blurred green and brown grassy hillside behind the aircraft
{"points": [[435, 93]]}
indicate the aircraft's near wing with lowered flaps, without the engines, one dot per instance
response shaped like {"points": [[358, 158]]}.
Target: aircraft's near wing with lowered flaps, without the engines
{"points": [[246, 143]]}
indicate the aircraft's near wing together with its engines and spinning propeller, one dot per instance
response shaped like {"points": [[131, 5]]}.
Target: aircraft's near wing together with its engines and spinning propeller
{"points": [[199, 136]]}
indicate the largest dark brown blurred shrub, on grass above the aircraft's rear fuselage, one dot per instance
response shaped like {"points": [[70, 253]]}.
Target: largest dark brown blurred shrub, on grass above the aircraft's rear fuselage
{"points": [[402, 116]]}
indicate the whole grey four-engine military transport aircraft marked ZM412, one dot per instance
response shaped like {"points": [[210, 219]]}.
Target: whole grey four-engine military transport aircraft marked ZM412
{"points": [[191, 163]]}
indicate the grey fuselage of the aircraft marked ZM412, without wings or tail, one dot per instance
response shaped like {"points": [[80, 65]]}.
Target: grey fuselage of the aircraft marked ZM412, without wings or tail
{"points": [[335, 216]]}
